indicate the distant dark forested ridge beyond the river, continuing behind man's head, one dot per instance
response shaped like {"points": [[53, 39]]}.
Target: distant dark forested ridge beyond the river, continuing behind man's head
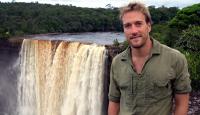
{"points": [[34, 18]]}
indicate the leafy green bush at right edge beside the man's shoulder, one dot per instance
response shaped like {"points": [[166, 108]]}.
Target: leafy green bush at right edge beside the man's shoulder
{"points": [[189, 44]]}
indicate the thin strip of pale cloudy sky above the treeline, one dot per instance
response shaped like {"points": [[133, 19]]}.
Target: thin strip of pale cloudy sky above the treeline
{"points": [[115, 3]]}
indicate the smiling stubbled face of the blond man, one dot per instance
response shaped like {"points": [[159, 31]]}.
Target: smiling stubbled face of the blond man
{"points": [[136, 29]]}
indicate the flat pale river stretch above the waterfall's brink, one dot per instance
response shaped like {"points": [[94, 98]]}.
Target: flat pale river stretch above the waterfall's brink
{"points": [[102, 38]]}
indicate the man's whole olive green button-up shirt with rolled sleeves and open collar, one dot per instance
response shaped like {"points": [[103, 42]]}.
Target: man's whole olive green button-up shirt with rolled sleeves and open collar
{"points": [[164, 74]]}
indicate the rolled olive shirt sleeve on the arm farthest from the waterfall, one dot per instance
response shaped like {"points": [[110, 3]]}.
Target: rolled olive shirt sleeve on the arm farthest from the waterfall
{"points": [[182, 81]]}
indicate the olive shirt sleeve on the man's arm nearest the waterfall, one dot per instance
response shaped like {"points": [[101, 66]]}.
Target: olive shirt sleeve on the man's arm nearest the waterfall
{"points": [[114, 92]]}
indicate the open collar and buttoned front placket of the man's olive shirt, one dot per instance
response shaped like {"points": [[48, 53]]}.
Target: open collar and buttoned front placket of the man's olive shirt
{"points": [[139, 80]]}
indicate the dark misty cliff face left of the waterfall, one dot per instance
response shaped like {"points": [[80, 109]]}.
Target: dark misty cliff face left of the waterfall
{"points": [[9, 53]]}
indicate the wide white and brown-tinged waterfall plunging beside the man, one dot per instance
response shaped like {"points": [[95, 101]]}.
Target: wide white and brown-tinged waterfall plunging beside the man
{"points": [[61, 78]]}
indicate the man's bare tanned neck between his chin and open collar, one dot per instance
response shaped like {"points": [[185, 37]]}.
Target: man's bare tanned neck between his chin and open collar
{"points": [[143, 51]]}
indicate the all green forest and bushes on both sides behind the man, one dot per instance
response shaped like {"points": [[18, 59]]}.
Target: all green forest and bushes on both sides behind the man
{"points": [[177, 28]]}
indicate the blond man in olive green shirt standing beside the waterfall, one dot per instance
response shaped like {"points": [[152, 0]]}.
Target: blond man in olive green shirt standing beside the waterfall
{"points": [[147, 75]]}
